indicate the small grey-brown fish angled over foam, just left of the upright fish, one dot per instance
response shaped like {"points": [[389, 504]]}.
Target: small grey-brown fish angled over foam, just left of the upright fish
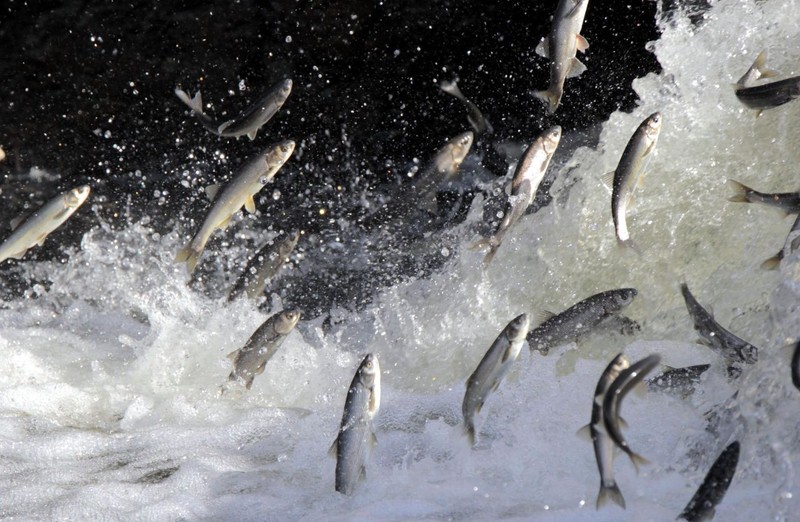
{"points": [[251, 359]]}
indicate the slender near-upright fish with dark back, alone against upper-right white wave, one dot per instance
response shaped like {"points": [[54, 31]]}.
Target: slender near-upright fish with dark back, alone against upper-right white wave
{"points": [[629, 173]]}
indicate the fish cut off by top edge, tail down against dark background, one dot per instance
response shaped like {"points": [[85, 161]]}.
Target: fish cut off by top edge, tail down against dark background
{"points": [[562, 46]]}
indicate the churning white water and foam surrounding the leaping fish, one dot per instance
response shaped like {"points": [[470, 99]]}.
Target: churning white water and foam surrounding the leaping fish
{"points": [[109, 386]]}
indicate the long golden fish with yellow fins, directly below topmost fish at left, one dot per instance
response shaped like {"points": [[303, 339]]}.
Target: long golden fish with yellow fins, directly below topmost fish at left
{"points": [[237, 193]]}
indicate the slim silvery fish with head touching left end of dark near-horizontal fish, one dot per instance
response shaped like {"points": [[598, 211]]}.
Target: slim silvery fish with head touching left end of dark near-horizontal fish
{"points": [[490, 371]]}
